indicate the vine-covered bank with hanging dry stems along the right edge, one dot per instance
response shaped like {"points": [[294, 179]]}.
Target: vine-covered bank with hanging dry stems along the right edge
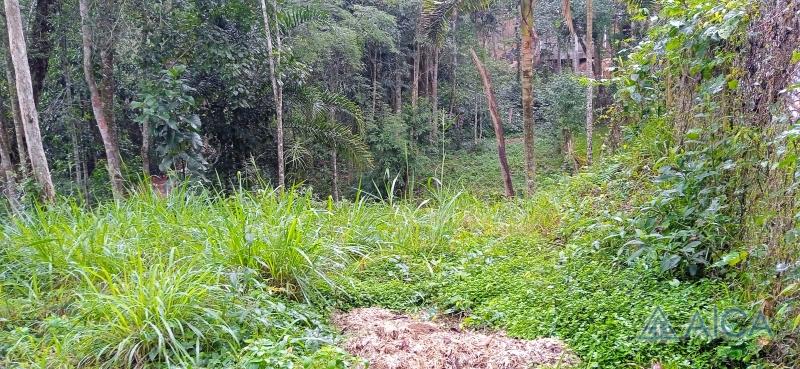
{"points": [[713, 126]]}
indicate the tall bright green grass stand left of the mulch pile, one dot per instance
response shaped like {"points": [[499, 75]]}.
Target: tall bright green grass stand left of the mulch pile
{"points": [[170, 281]]}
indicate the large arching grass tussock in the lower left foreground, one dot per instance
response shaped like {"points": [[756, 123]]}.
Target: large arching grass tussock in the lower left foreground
{"points": [[161, 311]]}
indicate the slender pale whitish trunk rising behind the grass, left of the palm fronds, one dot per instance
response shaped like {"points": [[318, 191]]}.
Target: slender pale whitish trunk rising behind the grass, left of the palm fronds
{"points": [[277, 90]]}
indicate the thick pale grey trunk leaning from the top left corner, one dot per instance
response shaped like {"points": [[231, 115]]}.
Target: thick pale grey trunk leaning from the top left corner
{"points": [[30, 117]]}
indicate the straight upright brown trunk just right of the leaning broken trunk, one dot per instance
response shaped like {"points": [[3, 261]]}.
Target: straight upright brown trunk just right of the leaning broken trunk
{"points": [[526, 66]]}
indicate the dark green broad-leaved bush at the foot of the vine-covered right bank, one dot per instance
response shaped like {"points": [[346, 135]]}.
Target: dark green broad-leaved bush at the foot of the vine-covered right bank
{"points": [[690, 225]]}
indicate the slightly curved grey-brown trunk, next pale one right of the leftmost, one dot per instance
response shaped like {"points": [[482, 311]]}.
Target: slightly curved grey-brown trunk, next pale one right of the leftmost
{"points": [[102, 103]]}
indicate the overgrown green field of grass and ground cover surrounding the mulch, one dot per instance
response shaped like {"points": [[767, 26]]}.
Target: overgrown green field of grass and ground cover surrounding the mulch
{"points": [[248, 280]]}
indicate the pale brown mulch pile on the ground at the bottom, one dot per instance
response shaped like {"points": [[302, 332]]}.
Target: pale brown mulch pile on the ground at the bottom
{"points": [[393, 341]]}
